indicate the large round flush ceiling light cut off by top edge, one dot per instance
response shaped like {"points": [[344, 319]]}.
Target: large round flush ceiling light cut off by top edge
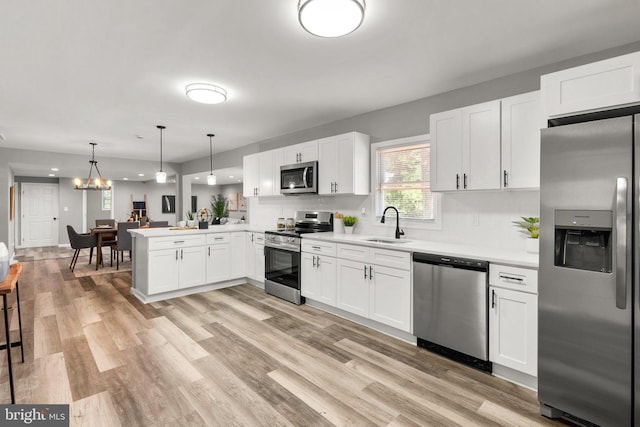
{"points": [[330, 18]]}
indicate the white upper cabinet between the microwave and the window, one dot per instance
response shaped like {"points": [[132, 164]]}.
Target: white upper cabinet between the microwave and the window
{"points": [[344, 164]]}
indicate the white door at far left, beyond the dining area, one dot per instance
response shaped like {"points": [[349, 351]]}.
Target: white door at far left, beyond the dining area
{"points": [[39, 209]]}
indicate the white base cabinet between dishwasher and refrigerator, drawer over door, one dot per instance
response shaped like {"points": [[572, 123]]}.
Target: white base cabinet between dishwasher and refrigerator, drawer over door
{"points": [[513, 318]]}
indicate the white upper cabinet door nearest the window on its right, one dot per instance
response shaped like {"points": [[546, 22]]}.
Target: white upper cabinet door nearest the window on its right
{"points": [[446, 150]]}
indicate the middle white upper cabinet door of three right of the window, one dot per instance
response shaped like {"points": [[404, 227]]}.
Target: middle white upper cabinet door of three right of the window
{"points": [[481, 146]]}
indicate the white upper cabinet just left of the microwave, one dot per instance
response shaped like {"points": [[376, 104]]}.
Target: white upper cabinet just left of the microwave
{"points": [[259, 174]]}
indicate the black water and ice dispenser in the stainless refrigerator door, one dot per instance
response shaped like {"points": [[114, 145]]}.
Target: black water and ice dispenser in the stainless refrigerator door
{"points": [[583, 240]]}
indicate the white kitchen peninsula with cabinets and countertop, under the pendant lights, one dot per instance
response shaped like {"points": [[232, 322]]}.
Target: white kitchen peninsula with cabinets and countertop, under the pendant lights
{"points": [[171, 262]]}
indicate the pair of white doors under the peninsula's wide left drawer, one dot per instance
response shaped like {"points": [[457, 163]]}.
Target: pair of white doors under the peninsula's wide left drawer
{"points": [[171, 269]]}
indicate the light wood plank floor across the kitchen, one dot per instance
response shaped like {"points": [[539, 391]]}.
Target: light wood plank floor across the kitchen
{"points": [[233, 357]]}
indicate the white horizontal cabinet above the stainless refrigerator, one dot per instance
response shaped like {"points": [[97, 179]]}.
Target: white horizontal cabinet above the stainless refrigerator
{"points": [[591, 87]]}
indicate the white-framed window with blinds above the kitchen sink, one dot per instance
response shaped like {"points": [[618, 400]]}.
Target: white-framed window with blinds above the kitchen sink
{"points": [[401, 179]]}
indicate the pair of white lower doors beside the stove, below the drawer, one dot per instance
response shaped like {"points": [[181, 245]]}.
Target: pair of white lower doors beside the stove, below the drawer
{"points": [[319, 278]]}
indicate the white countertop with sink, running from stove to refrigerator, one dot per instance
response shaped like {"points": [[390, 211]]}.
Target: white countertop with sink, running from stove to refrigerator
{"points": [[494, 255]]}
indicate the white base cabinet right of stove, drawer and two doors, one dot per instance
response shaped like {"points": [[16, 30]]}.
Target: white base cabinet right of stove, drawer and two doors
{"points": [[319, 271]]}
